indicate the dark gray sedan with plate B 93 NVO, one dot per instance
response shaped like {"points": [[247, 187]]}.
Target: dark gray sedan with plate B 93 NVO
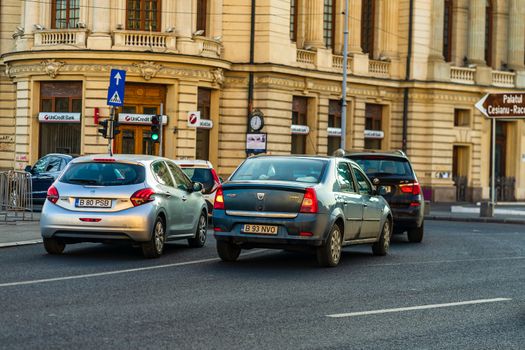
{"points": [[291, 202]]}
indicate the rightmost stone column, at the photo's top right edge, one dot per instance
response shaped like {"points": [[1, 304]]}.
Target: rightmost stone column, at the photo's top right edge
{"points": [[516, 37]]}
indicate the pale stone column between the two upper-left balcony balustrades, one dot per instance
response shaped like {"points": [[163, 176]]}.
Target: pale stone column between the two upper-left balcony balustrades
{"points": [[100, 39]]}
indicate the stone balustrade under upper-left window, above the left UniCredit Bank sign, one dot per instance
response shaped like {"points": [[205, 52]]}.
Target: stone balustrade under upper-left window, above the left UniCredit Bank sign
{"points": [[73, 38]]}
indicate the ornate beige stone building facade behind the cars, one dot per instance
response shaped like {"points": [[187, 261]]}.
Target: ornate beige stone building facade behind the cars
{"points": [[195, 55]]}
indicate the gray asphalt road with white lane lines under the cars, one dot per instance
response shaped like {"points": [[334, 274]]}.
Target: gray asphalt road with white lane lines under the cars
{"points": [[462, 288]]}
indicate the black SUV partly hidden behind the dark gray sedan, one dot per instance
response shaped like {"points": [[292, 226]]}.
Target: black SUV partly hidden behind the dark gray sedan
{"points": [[403, 192]]}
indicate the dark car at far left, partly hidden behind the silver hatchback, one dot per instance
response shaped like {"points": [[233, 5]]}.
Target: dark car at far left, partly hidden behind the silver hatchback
{"points": [[45, 171]]}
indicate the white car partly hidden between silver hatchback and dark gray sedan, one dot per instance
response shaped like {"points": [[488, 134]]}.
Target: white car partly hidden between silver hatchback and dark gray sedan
{"points": [[202, 171]]}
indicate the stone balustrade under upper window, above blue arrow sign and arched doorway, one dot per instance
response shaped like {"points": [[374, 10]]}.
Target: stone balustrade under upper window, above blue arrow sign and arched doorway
{"points": [[143, 41]]}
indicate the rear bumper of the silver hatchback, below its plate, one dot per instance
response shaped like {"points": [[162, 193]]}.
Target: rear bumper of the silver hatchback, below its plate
{"points": [[133, 224]]}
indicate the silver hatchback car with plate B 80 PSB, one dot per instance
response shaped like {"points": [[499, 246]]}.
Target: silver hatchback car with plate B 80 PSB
{"points": [[143, 200]]}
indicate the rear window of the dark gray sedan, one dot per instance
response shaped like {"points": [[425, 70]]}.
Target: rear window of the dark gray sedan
{"points": [[281, 169]]}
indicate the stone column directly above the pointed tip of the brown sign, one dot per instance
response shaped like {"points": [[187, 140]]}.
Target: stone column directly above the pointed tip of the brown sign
{"points": [[476, 38]]}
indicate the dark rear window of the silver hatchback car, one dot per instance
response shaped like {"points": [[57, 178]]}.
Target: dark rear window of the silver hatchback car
{"points": [[104, 174]]}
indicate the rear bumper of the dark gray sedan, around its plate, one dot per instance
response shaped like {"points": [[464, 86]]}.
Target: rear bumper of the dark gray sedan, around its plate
{"points": [[288, 233]]}
